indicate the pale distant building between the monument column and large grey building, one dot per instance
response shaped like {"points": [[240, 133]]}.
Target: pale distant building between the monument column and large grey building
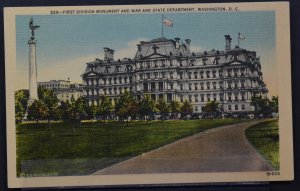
{"points": [[63, 89]]}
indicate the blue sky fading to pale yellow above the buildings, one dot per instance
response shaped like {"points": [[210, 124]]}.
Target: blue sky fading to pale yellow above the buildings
{"points": [[65, 43]]}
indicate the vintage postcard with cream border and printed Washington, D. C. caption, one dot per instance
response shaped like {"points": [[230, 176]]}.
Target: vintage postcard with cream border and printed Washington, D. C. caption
{"points": [[148, 94]]}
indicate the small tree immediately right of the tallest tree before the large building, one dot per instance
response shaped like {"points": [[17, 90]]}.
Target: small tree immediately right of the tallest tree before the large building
{"points": [[146, 107]]}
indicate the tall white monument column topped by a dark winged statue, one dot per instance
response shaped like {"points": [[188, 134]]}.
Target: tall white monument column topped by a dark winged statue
{"points": [[33, 95]]}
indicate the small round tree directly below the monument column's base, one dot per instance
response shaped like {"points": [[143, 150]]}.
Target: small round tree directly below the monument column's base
{"points": [[37, 111]]}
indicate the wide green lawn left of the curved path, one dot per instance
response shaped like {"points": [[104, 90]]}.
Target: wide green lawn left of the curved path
{"points": [[57, 152]]}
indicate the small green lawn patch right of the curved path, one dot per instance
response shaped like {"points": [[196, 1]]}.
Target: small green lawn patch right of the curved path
{"points": [[265, 138]]}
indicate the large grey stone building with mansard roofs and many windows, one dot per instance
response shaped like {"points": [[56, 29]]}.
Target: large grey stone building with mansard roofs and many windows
{"points": [[169, 69]]}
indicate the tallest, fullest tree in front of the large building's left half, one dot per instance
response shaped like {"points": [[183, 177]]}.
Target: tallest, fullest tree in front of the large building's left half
{"points": [[126, 106]]}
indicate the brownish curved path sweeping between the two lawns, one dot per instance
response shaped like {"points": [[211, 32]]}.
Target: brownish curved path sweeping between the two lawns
{"points": [[222, 149]]}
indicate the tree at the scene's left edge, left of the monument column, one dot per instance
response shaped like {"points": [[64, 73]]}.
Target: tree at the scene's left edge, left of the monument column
{"points": [[21, 99]]}
